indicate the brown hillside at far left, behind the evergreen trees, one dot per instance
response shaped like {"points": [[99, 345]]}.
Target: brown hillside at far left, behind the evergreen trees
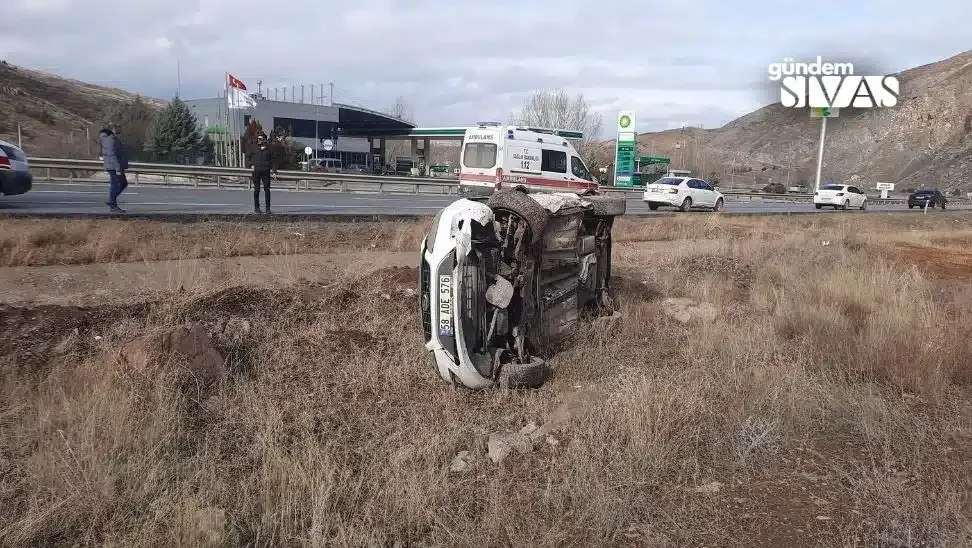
{"points": [[54, 112]]}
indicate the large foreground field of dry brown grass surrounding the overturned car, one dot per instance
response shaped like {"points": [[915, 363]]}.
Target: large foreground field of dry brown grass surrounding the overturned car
{"points": [[832, 399]]}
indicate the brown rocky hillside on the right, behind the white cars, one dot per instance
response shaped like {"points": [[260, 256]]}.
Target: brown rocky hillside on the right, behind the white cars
{"points": [[925, 140]]}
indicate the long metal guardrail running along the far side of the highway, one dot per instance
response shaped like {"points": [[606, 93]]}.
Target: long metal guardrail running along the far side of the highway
{"points": [[84, 171]]}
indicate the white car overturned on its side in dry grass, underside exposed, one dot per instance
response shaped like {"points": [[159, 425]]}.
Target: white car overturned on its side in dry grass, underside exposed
{"points": [[502, 281]]}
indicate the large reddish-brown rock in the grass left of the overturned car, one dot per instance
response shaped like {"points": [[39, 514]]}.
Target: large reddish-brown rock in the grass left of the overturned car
{"points": [[186, 346]]}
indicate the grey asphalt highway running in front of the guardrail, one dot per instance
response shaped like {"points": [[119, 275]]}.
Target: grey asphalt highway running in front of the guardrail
{"points": [[88, 199]]}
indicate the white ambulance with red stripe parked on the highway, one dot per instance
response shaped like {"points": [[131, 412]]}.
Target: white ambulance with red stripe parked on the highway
{"points": [[496, 156]]}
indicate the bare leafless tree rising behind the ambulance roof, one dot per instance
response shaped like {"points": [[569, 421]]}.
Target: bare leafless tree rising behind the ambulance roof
{"points": [[557, 110]]}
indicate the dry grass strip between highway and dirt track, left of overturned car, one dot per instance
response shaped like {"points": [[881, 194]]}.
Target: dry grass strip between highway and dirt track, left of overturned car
{"points": [[37, 242]]}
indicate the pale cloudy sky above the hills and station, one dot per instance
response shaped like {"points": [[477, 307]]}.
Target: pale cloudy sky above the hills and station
{"points": [[687, 62]]}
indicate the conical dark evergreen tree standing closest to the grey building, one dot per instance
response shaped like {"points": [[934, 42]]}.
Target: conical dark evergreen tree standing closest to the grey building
{"points": [[175, 136]]}
